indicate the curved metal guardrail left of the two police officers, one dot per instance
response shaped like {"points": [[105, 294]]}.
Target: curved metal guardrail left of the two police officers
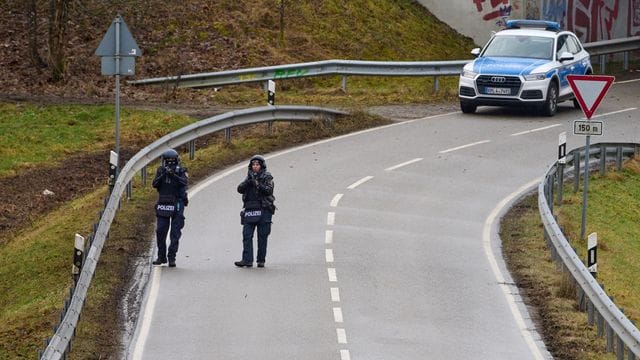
{"points": [[59, 344]]}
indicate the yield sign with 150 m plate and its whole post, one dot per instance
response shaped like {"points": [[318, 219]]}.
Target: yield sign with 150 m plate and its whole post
{"points": [[589, 91]]}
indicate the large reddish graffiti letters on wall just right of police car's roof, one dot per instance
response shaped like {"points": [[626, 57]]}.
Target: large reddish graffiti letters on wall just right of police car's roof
{"points": [[593, 20]]}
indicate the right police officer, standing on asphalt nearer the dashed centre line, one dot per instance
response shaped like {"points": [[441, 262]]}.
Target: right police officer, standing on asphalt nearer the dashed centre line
{"points": [[258, 203]]}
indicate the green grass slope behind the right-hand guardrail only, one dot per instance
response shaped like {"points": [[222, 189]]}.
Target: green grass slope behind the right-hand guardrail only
{"points": [[613, 210]]}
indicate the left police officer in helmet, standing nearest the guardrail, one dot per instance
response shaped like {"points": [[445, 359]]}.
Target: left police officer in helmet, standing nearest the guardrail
{"points": [[171, 182]]}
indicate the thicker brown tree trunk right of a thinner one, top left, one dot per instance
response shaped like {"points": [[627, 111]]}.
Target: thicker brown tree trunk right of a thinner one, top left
{"points": [[58, 16]]}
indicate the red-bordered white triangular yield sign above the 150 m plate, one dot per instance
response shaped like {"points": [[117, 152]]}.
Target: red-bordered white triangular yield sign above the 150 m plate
{"points": [[590, 90]]}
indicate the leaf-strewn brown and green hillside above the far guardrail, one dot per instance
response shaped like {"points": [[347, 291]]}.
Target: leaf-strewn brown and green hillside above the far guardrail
{"points": [[203, 36]]}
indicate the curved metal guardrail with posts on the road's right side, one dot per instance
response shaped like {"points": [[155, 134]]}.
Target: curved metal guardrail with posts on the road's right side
{"points": [[591, 295]]}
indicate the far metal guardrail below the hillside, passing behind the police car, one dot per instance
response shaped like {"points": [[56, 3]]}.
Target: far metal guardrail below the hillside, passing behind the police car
{"points": [[356, 67]]}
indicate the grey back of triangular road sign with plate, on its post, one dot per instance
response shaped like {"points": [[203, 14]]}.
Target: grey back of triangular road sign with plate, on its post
{"points": [[118, 51]]}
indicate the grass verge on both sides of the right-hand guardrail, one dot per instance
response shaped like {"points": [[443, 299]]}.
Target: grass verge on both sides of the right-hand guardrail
{"points": [[613, 210]]}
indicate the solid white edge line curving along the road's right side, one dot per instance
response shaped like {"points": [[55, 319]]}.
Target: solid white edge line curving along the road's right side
{"points": [[507, 290]]}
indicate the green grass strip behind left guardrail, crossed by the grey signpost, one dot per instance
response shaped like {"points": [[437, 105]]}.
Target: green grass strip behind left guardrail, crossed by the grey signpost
{"points": [[35, 135]]}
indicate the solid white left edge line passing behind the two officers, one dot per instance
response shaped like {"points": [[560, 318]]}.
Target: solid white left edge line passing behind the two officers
{"points": [[141, 339]]}
